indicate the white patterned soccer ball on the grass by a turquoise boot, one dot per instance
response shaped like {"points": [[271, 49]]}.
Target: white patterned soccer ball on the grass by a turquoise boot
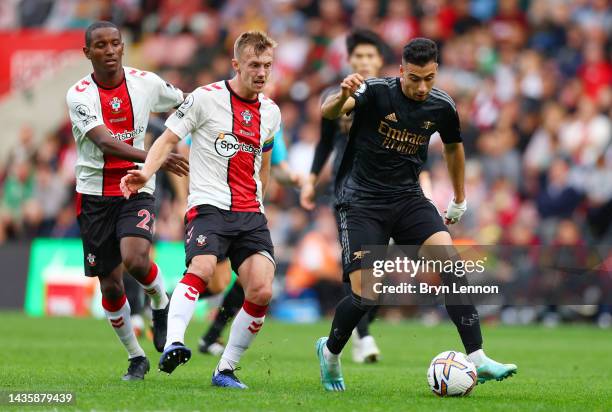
{"points": [[451, 374]]}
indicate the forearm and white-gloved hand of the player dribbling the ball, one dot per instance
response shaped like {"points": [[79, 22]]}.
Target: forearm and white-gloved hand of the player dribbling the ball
{"points": [[455, 162]]}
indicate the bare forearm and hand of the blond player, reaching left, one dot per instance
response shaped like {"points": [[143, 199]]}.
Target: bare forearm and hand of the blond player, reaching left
{"points": [[158, 156]]}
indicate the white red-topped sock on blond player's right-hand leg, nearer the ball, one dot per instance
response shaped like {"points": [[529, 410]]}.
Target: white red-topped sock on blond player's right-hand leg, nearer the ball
{"points": [[245, 327]]}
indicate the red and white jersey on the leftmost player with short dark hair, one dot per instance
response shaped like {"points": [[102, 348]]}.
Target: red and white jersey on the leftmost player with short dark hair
{"points": [[124, 111]]}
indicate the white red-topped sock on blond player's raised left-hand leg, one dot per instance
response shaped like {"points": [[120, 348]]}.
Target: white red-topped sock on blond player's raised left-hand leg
{"points": [[182, 306]]}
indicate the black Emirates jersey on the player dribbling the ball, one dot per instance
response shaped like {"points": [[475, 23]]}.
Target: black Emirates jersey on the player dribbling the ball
{"points": [[388, 141]]}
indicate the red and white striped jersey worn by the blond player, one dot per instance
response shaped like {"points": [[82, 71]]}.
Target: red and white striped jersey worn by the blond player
{"points": [[229, 135]]}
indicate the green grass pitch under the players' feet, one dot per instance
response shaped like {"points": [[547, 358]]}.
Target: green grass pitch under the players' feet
{"points": [[568, 368]]}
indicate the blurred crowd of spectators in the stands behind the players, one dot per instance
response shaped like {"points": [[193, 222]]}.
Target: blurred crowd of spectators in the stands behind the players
{"points": [[531, 79]]}
